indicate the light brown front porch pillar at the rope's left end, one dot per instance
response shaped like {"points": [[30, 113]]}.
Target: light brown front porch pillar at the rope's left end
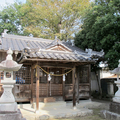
{"points": [[37, 89]]}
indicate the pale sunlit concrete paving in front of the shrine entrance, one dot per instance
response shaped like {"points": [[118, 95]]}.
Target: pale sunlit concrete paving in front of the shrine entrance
{"points": [[59, 110]]}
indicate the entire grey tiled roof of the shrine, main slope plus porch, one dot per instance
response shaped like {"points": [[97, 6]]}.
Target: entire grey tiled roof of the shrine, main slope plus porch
{"points": [[40, 48]]}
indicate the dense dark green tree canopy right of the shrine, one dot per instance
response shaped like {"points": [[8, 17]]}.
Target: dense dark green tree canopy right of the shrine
{"points": [[100, 30]]}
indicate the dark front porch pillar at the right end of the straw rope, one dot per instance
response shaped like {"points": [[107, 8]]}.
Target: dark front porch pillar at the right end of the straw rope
{"points": [[74, 93]]}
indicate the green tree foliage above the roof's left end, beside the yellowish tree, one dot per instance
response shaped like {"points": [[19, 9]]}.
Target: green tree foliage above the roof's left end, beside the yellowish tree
{"points": [[9, 19]]}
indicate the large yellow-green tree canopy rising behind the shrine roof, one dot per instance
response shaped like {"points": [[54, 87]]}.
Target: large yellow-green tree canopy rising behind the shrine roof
{"points": [[48, 18]]}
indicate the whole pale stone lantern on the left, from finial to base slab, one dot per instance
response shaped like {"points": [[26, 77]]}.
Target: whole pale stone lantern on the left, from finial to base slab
{"points": [[8, 106]]}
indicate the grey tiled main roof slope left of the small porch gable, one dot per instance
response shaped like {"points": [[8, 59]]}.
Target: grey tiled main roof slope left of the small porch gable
{"points": [[16, 42]]}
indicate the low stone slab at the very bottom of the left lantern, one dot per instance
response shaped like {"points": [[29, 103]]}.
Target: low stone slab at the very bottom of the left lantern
{"points": [[12, 116]]}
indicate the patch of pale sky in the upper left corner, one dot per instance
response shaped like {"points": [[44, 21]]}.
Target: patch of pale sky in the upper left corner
{"points": [[4, 3]]}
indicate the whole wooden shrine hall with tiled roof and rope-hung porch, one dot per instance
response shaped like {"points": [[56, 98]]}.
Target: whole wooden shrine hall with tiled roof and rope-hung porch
{"points": [[52, 70]]}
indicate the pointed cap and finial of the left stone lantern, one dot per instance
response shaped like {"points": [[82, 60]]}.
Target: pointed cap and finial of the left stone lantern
{"points": [[9, 64]]}
